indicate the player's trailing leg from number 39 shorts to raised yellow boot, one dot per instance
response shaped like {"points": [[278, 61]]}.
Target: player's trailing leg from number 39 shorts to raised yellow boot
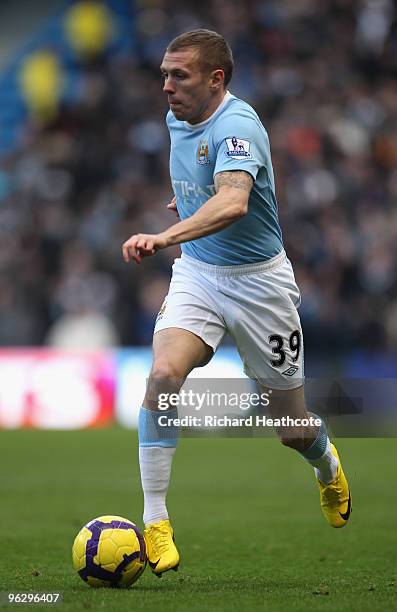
{"points": [[262, 317]]}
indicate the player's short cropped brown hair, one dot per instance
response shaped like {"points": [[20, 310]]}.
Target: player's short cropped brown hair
{"points": [[214, 51]]}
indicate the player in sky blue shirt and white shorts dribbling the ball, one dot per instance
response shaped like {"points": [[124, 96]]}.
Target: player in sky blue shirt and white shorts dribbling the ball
{"points": [[233, 276]]}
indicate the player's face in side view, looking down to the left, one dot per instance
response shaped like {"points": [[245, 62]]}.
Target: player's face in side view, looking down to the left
{"points": [[189, 89]]}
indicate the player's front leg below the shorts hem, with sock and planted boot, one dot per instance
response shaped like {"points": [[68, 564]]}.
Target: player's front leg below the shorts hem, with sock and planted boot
{"points": [[175, 353]]}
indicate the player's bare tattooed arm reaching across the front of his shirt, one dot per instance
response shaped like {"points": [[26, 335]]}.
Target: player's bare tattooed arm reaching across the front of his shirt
{"points": [[230, 203]]}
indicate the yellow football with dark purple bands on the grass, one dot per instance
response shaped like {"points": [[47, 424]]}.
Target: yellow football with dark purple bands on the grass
{"points": [[109, 552]]}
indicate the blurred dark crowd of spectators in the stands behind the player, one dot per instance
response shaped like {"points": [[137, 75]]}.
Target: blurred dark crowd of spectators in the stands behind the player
{"points": [[322, 76]]}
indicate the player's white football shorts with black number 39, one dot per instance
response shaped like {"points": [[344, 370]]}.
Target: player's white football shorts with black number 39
{"points": [[255, 303]]}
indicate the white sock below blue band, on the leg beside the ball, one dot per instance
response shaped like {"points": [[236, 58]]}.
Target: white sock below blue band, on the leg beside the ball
{"points": [[155, 463]]}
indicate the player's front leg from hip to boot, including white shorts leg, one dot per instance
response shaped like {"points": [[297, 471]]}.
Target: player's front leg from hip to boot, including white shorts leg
{"points": [[187, 333]]}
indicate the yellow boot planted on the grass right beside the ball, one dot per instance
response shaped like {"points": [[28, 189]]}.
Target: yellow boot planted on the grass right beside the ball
{"points": [[161, 551]]}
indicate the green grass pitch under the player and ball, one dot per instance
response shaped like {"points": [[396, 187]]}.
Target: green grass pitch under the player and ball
{"points": [[246, 516]]}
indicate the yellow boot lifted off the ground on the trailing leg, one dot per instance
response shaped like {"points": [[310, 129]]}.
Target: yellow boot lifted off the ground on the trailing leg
{"points": [[336, 501]]}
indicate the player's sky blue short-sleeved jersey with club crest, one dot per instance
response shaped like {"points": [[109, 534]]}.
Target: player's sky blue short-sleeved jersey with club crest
{"points": [[233, 138]]}
